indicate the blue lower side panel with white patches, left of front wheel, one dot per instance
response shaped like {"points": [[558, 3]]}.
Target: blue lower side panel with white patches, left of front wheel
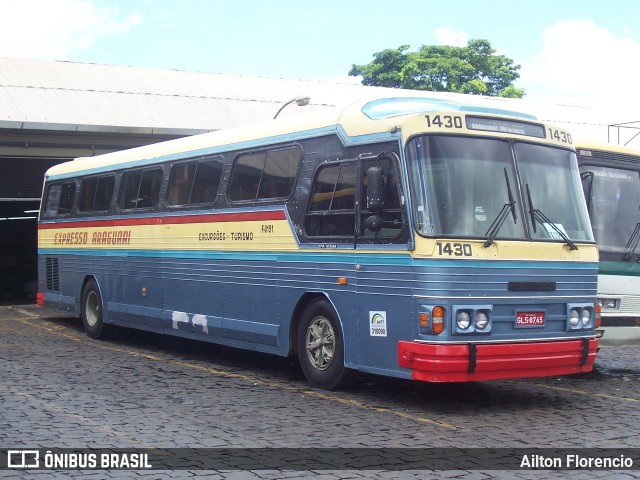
{"points": [[224, 299]]}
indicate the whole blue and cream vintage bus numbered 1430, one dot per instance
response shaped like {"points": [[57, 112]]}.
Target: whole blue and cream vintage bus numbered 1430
{"points": [[410, 237]]}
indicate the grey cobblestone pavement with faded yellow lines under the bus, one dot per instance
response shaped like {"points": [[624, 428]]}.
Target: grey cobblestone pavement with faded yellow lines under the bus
{"points": [[60, 389]]}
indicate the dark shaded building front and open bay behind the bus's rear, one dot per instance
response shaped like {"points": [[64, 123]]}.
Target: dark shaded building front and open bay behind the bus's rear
{"points": [[25, 155]]}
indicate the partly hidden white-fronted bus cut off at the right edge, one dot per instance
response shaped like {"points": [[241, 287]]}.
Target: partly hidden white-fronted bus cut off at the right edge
{"points": [[611, 182]]}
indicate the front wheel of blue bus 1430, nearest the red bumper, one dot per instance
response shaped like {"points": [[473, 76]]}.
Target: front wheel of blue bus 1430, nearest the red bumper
{"points": [[321, 347]]}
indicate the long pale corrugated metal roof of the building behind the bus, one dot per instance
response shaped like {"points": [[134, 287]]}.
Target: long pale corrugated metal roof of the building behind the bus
{"points": [[56, 95]]}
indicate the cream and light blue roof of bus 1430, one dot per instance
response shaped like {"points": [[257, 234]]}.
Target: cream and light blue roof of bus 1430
{"points": [[380, 111]]}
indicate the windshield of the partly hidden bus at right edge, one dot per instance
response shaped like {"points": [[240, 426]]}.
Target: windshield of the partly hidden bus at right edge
{"points": [[614, 200]]}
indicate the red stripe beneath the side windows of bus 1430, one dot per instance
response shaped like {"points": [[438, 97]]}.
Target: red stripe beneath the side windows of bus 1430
{"points": [[172, 220]]}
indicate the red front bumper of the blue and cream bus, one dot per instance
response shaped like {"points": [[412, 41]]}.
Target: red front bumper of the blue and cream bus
{"points": [[472, 362]]}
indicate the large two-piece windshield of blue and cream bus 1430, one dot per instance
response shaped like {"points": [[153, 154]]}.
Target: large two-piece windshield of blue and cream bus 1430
{"points": [[462, 184]]}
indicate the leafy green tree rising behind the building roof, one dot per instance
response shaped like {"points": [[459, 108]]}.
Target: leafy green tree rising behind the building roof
{"points": [[474, 69]]}
